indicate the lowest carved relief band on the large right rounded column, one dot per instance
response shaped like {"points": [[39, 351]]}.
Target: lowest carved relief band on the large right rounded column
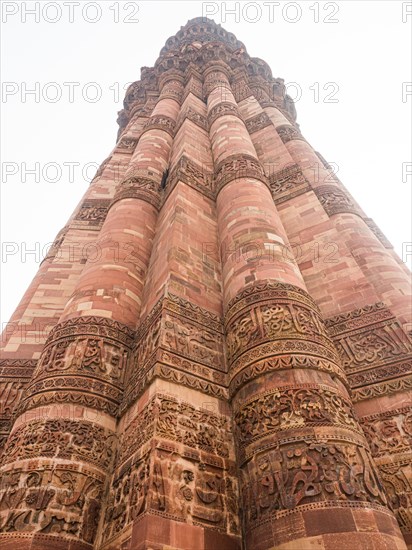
{"points": [[309, 471]]}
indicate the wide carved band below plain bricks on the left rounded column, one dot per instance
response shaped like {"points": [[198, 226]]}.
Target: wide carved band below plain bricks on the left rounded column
{"points": [[84, 355]]}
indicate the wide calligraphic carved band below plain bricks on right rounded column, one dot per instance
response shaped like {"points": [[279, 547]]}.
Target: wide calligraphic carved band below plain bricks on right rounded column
{"points": [[271, 319]]}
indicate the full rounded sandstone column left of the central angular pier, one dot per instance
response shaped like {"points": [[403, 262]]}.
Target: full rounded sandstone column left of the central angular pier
{"points": [[63, 443]]}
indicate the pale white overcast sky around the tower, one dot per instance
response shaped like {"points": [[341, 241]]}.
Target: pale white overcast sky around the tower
{"points": [[347, 63]]}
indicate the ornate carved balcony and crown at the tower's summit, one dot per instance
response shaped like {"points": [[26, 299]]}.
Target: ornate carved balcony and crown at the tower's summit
{"points": [[195, 47]]}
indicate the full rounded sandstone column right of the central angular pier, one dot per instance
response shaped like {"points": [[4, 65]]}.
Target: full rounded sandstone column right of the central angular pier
{"points": [[307, 478]]}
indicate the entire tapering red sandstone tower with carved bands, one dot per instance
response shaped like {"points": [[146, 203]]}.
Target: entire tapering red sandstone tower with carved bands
{"points": [[202, 388]]}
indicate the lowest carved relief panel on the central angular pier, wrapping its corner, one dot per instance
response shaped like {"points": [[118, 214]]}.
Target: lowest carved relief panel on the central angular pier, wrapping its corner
{"points": [[180, 487]]}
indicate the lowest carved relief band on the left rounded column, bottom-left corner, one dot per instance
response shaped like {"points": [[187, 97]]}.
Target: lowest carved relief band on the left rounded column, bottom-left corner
{"points": [[51, 499]]}
